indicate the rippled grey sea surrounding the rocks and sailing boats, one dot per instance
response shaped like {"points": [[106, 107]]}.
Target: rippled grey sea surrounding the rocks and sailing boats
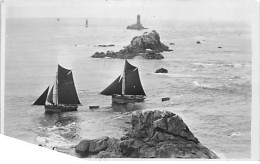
{"points": [[209, 84]]}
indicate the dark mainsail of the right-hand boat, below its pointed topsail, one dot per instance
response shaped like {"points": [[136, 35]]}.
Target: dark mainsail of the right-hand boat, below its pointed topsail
{"points": [[133, 84]]}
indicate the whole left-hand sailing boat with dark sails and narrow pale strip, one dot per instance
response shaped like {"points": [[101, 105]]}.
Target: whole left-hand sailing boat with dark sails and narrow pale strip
{"points": [[62, 96]]}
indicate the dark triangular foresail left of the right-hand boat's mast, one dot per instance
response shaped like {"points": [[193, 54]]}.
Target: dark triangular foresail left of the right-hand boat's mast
{"points": [[114, 88]]}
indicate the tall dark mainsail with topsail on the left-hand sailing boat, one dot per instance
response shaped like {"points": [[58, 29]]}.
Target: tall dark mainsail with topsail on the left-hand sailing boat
{"points": [[67, 93]]}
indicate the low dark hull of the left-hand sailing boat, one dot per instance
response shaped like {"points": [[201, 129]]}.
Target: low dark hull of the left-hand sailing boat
{"points": [[59, 109]]}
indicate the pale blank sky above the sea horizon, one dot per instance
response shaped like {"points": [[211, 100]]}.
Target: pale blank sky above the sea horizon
{"points": [[162, 9]]}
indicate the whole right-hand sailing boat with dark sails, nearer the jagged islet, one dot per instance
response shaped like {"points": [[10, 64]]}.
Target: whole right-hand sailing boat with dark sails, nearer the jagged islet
{"points": [[127, 88]]}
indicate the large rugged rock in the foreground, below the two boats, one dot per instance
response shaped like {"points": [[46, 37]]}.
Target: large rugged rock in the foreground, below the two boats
{"points": [[154, 134]]}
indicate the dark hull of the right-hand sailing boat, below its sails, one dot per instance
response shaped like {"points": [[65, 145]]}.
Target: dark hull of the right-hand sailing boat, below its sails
{"points": [[123, 99]]}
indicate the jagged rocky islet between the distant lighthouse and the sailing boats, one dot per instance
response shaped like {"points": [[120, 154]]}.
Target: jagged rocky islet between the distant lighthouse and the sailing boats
{"points": [[147, 46]]}
